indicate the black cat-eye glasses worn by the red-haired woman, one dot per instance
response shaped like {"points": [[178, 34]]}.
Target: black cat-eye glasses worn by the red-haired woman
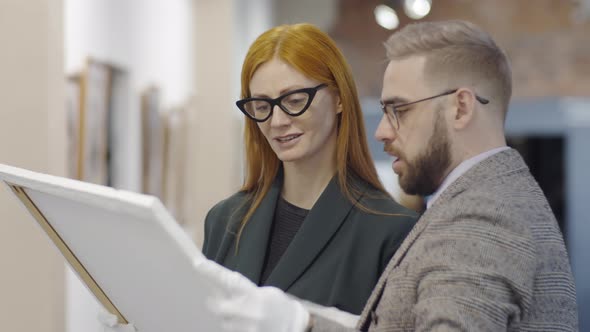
{"points": [[294, 103]]}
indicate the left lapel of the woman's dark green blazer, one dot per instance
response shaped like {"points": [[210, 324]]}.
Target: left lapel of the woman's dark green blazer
{"points": [[254, 240]]}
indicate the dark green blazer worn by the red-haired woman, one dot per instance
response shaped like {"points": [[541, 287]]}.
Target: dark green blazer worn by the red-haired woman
{"points": [[337, 255]]}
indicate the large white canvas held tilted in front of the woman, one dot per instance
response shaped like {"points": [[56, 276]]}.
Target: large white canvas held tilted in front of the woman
{"points": [[130, 245]]}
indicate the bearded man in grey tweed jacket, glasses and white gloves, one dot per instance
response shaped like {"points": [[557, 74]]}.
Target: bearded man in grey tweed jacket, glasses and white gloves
{"points": [[487, 255]]}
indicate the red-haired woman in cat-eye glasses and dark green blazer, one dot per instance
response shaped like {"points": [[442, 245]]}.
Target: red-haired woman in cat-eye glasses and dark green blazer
{"points": [[312, 217]]}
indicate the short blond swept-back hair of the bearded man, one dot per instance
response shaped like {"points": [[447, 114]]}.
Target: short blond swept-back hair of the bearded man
{"points": [[456, 53]]}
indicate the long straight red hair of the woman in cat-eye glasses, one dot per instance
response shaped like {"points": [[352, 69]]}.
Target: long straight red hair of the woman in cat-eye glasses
{"points": [[314, 54]]}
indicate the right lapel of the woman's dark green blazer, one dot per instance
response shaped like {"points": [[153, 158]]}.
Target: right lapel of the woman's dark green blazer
{"points": [[322, 222]]}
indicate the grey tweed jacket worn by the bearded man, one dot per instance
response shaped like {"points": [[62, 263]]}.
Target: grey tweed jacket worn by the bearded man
{"points": [[486, 256]]}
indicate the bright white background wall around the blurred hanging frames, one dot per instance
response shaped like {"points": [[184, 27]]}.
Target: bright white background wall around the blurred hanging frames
{"points": [[151, 40]]}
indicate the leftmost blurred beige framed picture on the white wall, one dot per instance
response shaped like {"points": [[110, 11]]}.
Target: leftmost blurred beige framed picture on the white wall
{"points": [[95, 123]]}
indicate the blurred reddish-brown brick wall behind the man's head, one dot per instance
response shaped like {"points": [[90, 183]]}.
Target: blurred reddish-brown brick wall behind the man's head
{"points": [[549, 50]]}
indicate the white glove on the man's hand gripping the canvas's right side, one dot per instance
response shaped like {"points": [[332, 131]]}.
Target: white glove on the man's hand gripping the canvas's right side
{"points": [[242, 306]]}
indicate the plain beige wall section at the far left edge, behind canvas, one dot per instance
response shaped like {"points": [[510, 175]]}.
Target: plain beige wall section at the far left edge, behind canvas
{"points": [[32, 135]]}
